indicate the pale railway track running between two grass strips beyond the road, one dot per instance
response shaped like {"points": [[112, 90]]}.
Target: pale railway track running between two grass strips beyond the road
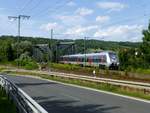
{"points": [[132, 84]]}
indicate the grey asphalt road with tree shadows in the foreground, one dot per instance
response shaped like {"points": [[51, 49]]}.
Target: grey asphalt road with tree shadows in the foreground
{"points": [[58, 98]]}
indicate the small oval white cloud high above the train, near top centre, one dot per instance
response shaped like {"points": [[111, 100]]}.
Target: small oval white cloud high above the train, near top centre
{"points": [[83, 11]]}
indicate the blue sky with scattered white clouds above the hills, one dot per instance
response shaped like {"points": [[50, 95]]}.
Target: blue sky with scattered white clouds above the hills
{"points": [[109, 20]]}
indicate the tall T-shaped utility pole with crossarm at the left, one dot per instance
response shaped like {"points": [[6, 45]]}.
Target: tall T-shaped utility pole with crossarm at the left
{"points": [[19, 17]]}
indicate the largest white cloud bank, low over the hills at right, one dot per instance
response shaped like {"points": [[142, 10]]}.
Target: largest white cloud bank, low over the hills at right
{"points": [[121, 33]]}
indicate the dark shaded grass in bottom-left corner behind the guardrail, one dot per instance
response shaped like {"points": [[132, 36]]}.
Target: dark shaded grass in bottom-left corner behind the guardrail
{"points": [[5, 105]]}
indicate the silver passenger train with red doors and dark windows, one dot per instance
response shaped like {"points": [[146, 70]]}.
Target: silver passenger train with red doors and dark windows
{"points": [[103, 59]]}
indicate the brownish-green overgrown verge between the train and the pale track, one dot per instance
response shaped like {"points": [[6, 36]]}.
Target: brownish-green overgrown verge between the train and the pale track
{"points": [[139, 75]]}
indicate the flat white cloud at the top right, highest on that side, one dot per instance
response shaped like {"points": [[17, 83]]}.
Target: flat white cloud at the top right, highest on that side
{"points": [[112, 6]]}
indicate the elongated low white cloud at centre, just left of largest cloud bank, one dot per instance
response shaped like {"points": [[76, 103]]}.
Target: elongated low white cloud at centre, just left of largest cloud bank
{"points": [[80, 30]]}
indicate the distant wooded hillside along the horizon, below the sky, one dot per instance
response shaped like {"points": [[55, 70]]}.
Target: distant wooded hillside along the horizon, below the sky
{"points": [[90, 44]]}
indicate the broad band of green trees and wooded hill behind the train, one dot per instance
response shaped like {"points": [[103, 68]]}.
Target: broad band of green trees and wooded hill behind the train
{"points": [[132, 55]]}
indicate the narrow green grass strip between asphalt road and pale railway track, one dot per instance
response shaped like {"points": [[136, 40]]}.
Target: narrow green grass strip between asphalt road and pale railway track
{"points": [[100, 86]]}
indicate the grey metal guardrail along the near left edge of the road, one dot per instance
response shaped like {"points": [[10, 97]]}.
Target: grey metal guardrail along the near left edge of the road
{"points": [[23, 102]]}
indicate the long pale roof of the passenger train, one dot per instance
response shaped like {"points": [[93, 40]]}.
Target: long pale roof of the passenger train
{"points": [[89, 54]]}
